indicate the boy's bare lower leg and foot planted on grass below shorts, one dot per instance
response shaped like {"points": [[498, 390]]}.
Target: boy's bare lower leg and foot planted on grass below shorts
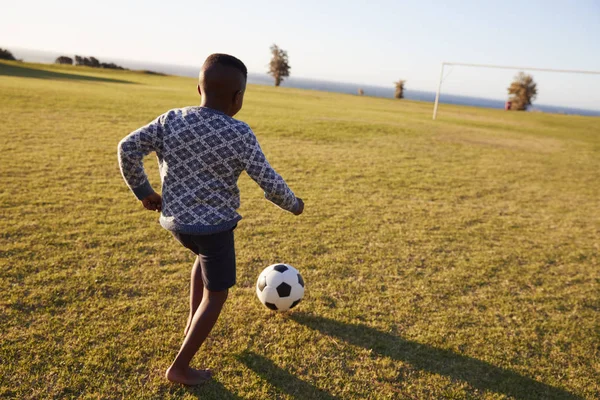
{"points": [[203, 321]]}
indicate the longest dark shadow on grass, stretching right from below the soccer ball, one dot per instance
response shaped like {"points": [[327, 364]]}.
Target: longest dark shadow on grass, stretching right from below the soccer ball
{"points": [[478, 374]]}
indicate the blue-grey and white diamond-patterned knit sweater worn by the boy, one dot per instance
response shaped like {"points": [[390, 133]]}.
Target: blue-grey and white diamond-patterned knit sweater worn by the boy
{"points": [[201, 153]]}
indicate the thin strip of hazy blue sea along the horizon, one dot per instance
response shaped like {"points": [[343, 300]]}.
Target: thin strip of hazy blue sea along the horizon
{"points": [[313, 84]]}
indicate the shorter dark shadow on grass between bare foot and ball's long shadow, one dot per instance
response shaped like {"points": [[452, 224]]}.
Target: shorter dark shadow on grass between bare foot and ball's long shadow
{"points": [[282, 379]]}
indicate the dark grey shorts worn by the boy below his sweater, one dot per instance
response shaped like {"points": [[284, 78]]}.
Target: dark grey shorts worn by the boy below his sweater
{"points": [[217, 257]]}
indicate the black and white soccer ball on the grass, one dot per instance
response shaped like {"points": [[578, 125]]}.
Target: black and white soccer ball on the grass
{"points": [[280, 287]]}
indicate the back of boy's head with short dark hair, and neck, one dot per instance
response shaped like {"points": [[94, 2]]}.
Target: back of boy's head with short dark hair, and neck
{"points": [[222, 83]]}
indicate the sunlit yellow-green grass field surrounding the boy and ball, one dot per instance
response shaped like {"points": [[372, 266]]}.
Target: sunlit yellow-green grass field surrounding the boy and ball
{"points": [[449, 259]]}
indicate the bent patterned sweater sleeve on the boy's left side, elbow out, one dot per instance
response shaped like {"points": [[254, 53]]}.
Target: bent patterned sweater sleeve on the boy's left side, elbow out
{"points": [[131, 151]]}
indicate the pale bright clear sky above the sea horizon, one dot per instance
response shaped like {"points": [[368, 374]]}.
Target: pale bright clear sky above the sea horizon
{"points": [[363, 42]]}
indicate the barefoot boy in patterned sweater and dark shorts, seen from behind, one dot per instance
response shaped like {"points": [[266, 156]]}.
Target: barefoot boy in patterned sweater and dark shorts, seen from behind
{"points": [[201, 153]]}
